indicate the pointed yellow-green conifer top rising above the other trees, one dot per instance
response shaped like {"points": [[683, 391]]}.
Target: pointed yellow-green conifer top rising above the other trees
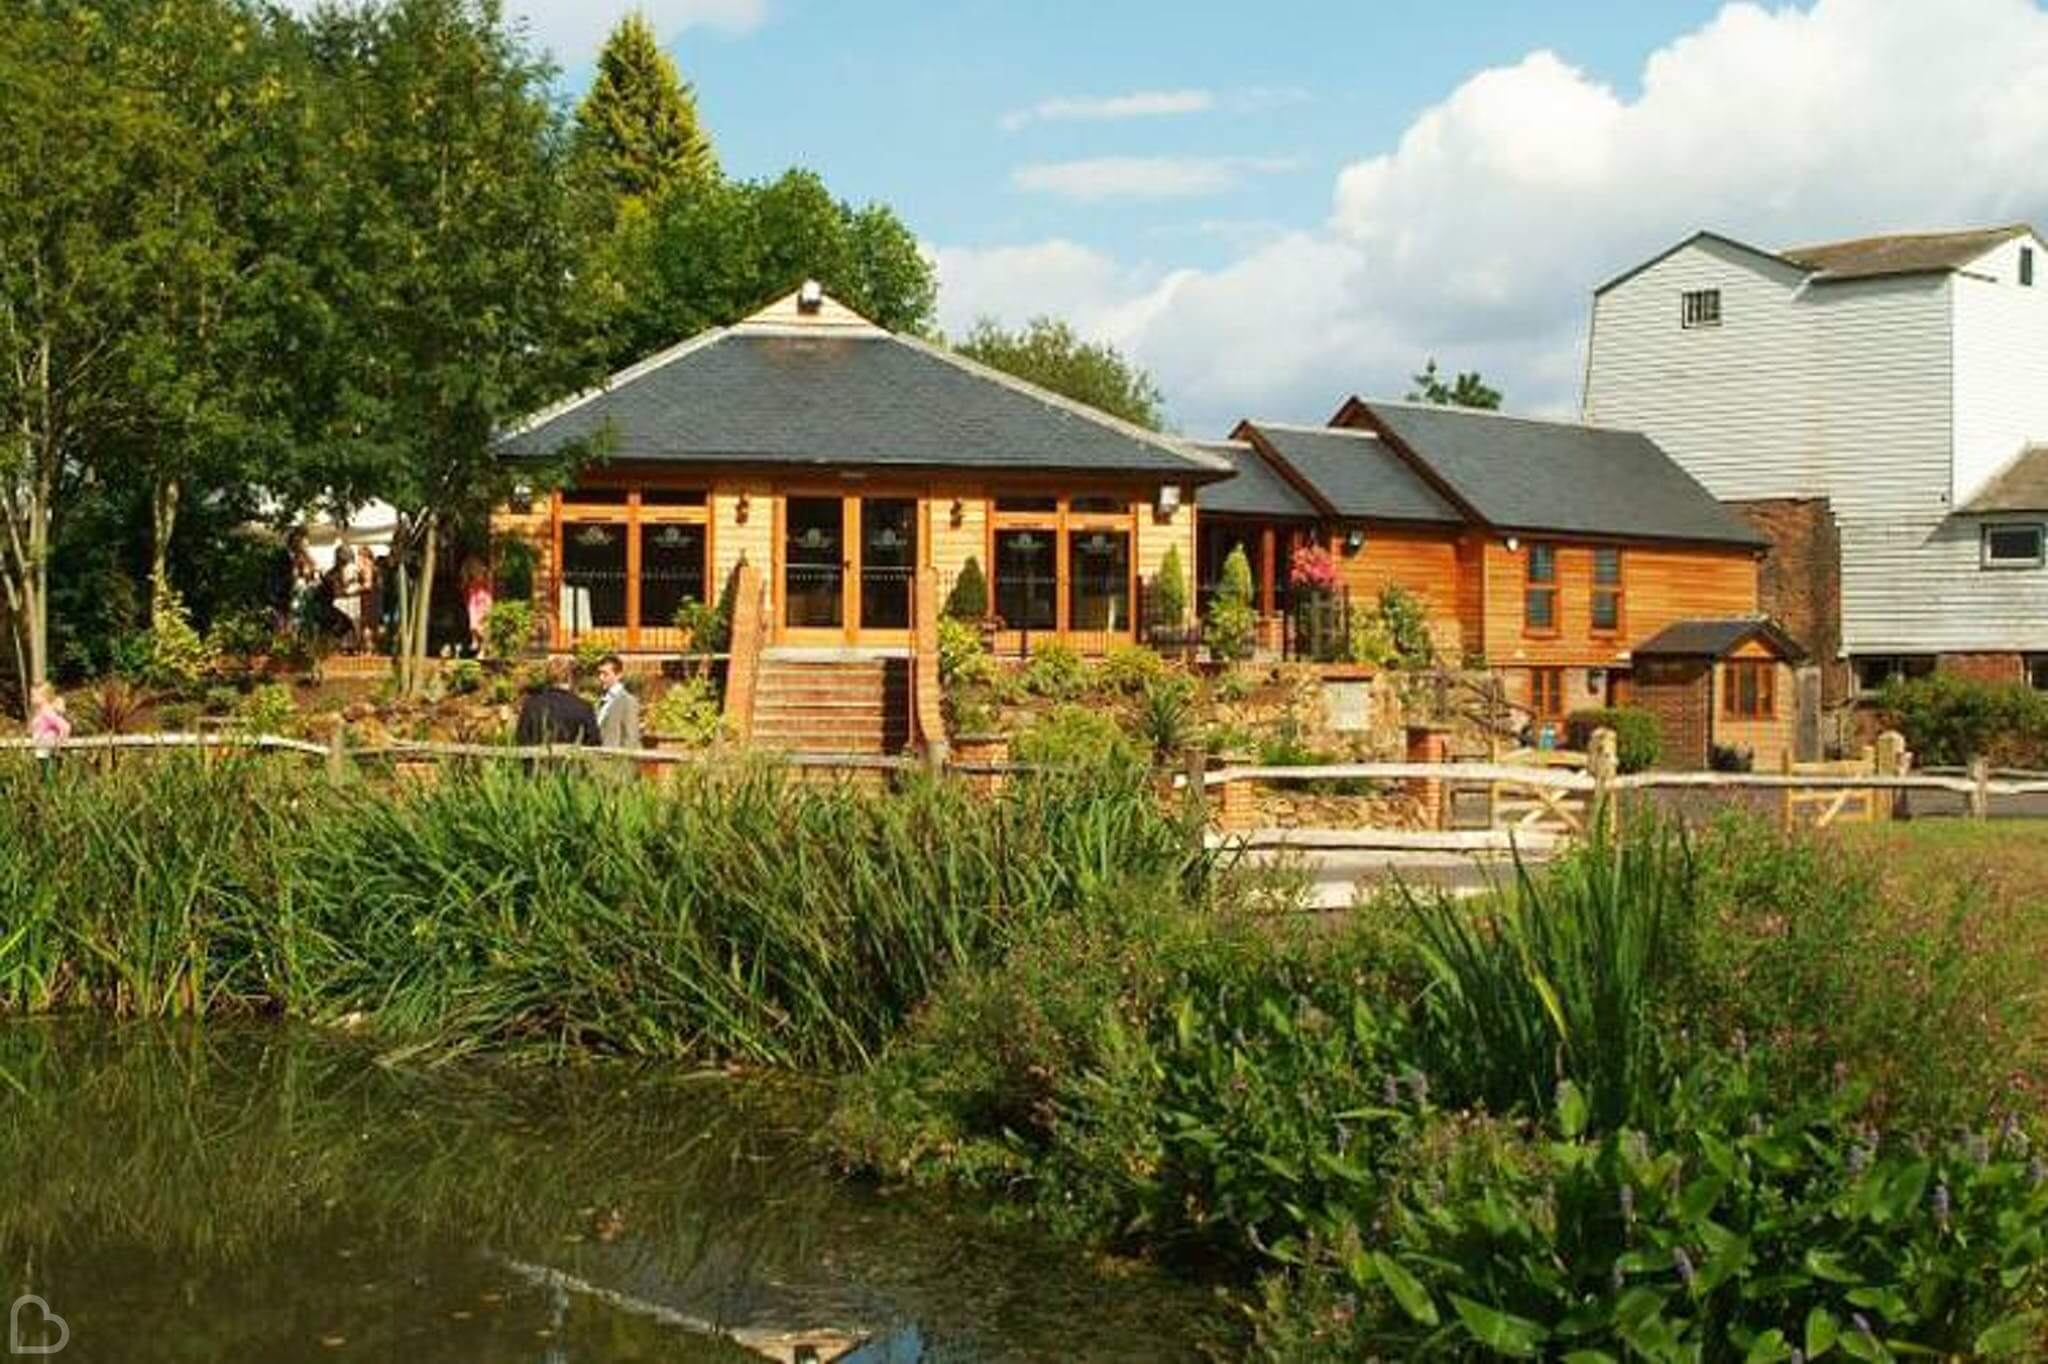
{"points": [[638, 130]]}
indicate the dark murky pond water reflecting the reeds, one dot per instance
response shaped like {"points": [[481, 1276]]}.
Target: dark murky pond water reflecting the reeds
{"points": [[267, 1193]]}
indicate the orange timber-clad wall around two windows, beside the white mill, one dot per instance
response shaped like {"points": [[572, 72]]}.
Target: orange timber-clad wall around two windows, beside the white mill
{"points": [[1660, 587]]}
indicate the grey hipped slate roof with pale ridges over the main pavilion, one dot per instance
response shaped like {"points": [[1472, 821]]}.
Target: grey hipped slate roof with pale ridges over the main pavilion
{"points": [[828, 388]]}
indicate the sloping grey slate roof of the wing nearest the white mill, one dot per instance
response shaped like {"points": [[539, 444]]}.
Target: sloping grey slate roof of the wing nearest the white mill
{"points": [[1521, 474]]}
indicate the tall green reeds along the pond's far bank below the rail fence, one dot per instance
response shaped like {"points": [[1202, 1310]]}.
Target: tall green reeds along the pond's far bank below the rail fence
{"points": [[736, 914]]}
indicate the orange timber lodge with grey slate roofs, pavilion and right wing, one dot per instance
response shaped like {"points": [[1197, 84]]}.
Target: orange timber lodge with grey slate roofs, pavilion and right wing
{"points": [[855, 468]]}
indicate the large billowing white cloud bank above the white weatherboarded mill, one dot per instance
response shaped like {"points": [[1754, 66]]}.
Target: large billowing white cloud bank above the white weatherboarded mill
{"points": [[1484, 230]]}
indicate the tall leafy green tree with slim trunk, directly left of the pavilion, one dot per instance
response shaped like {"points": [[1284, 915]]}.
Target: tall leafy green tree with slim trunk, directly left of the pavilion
{"points": [[447, 247]]}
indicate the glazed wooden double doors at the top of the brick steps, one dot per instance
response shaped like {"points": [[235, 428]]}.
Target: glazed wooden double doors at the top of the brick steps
{"points": [[847, 568]]}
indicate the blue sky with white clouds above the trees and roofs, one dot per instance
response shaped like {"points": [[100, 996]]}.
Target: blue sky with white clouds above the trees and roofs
{"points": [[1275, 206]]}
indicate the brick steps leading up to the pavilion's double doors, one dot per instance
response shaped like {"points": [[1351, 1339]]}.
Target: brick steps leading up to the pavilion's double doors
{"points": [[808, 706]]}
